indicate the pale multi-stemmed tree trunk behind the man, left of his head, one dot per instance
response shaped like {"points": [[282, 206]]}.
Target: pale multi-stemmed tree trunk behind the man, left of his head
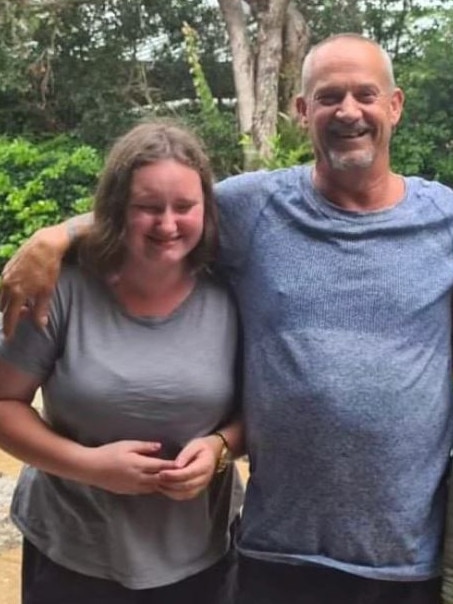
{"points": [[261, 86]]}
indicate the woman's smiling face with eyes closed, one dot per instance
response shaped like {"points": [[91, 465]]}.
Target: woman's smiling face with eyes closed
{"points": [[164, 219]]}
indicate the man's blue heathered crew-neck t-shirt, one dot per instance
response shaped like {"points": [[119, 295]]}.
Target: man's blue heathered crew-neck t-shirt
{"points": [[347, 372]]}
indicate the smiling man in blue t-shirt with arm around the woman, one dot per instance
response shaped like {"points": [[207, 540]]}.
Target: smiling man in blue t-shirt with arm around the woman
{"points": [[343, 273]]}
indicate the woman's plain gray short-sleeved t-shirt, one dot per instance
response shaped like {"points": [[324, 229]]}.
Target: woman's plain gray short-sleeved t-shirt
{"points": [[110, 376]]}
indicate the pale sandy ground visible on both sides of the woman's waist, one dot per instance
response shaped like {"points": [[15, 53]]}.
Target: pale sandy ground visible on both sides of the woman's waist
{"points": [[10, 540]]}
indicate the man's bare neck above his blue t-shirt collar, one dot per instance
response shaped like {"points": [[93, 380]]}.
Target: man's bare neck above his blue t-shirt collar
{"points": [[360, 190]]}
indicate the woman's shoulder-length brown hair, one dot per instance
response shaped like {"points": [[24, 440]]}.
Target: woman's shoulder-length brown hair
{"points": [[103, 249]]}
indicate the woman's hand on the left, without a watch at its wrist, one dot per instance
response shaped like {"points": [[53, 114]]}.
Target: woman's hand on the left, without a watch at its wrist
{"points": [[126, 467]]}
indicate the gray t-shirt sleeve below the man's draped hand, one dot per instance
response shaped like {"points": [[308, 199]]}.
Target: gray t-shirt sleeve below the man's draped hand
{"points": [[33, 349]]}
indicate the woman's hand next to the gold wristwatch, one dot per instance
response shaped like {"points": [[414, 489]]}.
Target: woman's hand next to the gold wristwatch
{"points": [[194, 468]]}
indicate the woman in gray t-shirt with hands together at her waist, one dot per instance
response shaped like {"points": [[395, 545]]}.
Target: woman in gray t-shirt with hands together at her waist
{"points": [[121, 501]]}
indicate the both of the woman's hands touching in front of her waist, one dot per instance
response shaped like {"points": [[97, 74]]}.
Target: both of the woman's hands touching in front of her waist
{"points": [[134, 468]]}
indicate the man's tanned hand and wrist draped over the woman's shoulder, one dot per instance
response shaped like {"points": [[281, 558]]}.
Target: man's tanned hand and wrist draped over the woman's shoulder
{"points": [[29, 277]]}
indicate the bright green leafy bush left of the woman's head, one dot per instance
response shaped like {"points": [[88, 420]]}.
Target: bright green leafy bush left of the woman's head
{"points": [[41, 184]]}
